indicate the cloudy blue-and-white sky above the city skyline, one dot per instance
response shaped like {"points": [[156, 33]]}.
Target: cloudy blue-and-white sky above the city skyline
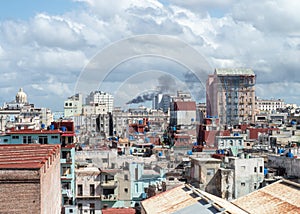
{"points": [[49, 47]]}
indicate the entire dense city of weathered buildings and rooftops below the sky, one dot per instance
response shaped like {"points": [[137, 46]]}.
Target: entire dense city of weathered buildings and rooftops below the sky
{"points": [[213, 157]]}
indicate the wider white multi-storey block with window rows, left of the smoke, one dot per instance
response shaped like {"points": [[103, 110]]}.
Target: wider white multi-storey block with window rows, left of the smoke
{"points": [[99, 97]]}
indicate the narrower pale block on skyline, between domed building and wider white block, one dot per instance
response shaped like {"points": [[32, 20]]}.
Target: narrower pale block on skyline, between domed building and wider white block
{"points": [[73, 106]]}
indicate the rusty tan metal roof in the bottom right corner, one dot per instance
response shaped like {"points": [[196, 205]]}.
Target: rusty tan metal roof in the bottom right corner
{"points": [[280, 197]]}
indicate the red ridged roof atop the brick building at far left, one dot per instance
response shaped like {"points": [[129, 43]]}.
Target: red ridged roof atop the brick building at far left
{"points": [[26, 156]]}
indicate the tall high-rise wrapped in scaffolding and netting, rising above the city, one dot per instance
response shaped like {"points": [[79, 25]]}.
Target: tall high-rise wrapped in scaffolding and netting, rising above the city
{"points": [[230, 95]]}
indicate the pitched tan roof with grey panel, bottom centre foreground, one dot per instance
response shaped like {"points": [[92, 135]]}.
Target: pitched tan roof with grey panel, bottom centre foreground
{"points": [[185, 199]]}
